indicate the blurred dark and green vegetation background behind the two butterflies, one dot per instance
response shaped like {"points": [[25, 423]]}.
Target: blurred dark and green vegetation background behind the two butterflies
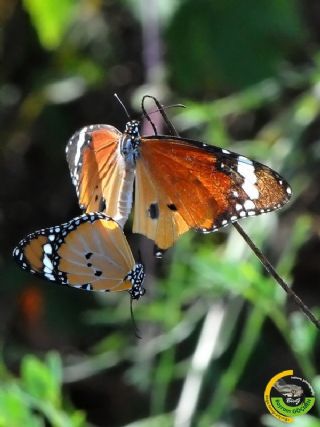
{"points": [[215, 328]]}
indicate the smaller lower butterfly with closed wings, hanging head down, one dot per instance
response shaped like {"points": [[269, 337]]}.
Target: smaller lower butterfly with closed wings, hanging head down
{"points": [[89, 252]]}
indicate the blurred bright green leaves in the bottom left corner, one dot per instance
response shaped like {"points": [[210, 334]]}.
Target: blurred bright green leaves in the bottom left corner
{"points": [[35, 399]]}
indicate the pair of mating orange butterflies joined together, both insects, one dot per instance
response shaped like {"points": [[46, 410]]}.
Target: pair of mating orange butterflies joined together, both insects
{"points": [[180, 184]]}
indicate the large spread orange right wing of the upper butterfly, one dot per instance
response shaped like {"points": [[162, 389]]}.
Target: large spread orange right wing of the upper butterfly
{"points": [[183, 184]]}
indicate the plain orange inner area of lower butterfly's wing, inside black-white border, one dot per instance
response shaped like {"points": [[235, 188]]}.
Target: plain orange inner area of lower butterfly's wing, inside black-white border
{"points": [[110, 256]]}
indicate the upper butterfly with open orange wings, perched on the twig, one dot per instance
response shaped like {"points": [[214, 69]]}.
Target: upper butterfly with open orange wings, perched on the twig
{"points": [[178, 183]]}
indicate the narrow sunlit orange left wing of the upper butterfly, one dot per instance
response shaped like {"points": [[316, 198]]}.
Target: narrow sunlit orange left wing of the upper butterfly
{"points": [[99, 173]]}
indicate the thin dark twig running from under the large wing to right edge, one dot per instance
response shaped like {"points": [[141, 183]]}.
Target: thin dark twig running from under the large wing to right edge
{"points": [[270, 269]]}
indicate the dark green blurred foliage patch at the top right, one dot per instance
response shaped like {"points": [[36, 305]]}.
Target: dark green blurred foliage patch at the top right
{"points": [[227, 45]]}
